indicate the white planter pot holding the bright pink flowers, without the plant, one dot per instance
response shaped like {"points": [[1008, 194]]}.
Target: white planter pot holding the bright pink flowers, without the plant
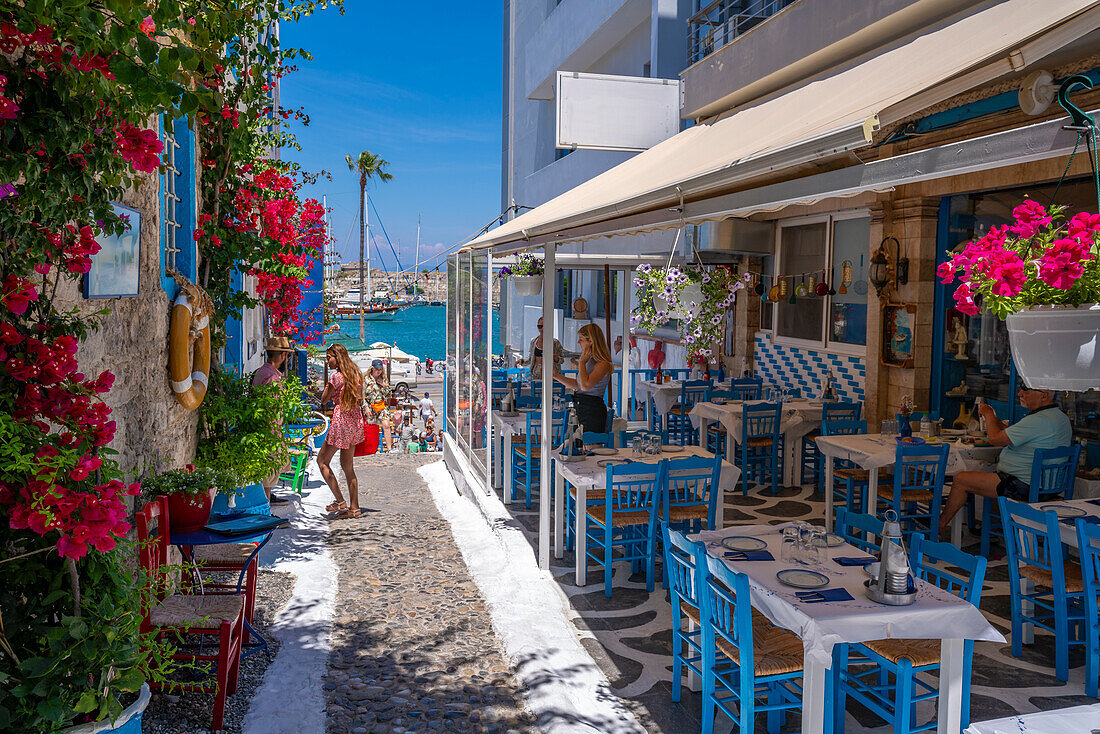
{"points": [[1058, 347]]}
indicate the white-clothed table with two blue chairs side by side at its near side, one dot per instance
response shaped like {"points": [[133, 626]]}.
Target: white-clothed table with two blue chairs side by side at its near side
{"points": [[589, 475]]}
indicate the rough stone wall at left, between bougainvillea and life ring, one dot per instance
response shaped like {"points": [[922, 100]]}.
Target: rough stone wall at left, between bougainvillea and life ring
{"points": [[134, 344]]}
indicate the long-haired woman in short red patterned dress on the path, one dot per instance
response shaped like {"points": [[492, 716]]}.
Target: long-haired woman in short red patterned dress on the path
{"points": [[346, 430]]}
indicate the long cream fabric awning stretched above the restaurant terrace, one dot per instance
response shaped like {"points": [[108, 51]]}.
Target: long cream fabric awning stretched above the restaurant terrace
{"points": [[827, 116]]}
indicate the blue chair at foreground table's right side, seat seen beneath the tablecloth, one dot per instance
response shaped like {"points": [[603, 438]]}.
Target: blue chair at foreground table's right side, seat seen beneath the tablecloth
{"points": [[905, 660]]}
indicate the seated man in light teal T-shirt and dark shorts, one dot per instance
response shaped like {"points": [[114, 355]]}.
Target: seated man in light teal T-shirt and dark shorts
{"points": [[1044, 428]]}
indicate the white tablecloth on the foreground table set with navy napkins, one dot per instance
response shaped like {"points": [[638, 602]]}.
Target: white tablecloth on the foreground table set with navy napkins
{"points": [[937, 614]]}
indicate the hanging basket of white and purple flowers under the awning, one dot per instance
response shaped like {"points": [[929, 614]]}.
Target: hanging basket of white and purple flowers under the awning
{"points": [[698, 298]]}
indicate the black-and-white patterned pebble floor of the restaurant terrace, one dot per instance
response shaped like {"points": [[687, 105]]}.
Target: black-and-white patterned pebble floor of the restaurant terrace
{"points": [[630, 636]]}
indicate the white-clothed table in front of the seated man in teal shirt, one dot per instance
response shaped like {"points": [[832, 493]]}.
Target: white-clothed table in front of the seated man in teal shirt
{"points": [[874, 452]]}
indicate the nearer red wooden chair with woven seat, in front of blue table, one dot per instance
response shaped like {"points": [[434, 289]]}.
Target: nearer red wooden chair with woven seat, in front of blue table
{"points": [[221, 616]]}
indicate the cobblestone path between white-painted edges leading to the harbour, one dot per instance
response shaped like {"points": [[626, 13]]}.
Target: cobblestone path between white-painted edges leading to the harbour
{"points": [[413, 644]]}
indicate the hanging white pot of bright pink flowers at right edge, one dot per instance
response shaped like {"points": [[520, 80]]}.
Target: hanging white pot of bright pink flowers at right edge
{"points": [[1042, 276]]}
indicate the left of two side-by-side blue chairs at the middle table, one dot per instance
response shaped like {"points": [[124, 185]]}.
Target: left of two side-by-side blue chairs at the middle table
{"points": [[628, 519]]}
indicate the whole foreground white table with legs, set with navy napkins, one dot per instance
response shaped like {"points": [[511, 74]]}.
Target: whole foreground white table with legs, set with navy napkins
{"points": [[821, 627]]}
